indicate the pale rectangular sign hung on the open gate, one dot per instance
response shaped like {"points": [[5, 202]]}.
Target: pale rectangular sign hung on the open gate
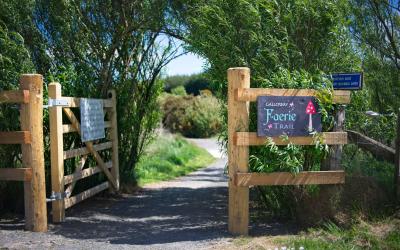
{"points": [[92, 119]]}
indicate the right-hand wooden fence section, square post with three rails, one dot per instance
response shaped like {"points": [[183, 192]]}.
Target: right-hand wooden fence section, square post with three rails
{"points": [[239, 139]]}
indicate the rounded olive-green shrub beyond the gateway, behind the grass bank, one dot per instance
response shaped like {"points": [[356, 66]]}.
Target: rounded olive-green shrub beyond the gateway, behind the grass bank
{"points": [[192, 116]]}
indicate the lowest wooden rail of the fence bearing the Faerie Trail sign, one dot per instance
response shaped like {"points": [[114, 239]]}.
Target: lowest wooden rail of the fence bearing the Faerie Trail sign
{"points": [[286, 178]]}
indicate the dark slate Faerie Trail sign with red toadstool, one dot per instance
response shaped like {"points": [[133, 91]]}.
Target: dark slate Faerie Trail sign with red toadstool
{"points": [[290, 115]]}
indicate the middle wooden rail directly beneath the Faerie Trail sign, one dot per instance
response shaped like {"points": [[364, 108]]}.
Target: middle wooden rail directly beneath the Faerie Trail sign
{"points": [[251, 139]]}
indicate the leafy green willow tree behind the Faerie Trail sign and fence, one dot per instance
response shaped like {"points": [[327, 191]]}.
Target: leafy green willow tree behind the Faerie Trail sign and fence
{"points": [[286, 44]]}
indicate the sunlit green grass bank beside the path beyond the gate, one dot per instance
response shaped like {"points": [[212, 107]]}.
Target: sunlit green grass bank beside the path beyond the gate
{"points": [[169, 157]]}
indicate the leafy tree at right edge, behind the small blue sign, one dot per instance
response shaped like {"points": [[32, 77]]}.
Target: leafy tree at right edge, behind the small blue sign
{"points": [[375, 27]]}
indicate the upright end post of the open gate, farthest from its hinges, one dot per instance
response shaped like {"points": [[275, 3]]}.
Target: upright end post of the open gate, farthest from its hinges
{"points": [[114, 137]]}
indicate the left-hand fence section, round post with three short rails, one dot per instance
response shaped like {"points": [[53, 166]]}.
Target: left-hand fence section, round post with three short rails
{"points": [[30, 97]]}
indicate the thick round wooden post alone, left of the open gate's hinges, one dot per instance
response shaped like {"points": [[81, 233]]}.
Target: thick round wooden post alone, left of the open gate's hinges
{"points": [[33, 154]]}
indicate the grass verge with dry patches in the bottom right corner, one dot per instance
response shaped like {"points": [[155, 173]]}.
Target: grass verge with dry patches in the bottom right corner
{"points": [[380, 234]]}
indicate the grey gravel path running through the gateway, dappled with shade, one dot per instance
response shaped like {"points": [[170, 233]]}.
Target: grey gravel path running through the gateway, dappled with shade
{"points": [[187, 213]]}
